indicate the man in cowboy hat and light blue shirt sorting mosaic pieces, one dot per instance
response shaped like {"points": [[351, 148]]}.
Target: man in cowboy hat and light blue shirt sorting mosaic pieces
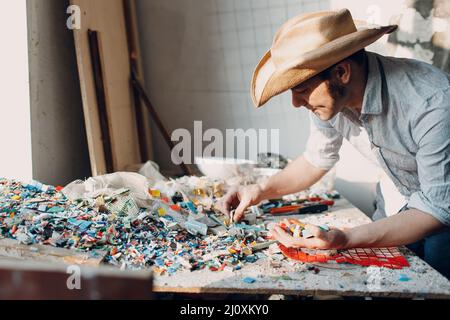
{"points": [[399, 107]]}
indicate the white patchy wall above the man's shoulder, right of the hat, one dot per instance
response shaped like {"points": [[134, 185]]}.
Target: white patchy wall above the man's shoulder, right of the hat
{"points": [[423, 32]]}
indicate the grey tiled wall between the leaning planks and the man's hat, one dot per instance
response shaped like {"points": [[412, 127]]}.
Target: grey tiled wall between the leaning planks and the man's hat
{"points": [[199, 56]]}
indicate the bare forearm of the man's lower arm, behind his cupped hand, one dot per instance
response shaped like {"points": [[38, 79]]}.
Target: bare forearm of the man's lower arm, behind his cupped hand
{"points": [[401, 229]]}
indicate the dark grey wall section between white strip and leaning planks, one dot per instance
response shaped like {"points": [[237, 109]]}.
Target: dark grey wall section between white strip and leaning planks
{"points": [[59, 145]]}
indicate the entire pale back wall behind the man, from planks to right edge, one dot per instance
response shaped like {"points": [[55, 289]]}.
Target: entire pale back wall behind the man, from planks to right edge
{"points": [[199, 57]]}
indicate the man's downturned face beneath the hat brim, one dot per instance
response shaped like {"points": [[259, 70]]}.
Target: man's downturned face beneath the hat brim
{"points": [[323, 97]]}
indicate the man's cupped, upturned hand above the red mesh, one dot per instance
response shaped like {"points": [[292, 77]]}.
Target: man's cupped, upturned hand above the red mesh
{"points": [[325, 240]]}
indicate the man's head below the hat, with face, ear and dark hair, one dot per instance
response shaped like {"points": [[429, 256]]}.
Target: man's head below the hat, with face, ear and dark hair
{"points": [[330, 91]]}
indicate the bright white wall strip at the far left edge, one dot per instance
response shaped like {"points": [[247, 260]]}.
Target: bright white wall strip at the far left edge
{"points": [[15, 160]]}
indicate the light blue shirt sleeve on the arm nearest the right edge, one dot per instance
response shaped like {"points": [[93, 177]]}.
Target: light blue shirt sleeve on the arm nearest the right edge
{"points": [[431, 132]]}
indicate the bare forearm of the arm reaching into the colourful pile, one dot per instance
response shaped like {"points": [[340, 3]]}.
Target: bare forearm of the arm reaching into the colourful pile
{"points": [[297, 176]]}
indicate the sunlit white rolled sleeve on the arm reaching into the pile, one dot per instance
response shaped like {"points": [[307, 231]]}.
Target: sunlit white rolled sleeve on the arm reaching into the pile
{"points": [[324, 143]]}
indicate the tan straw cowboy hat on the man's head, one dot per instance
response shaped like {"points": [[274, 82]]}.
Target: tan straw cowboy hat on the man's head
{"points": [[306, 45]]}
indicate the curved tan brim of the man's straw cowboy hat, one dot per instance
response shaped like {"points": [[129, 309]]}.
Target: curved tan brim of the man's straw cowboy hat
{"points": [[269, 81]]}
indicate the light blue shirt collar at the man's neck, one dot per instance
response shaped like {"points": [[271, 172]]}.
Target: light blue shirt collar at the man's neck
{"points": [[372, 103]]}
